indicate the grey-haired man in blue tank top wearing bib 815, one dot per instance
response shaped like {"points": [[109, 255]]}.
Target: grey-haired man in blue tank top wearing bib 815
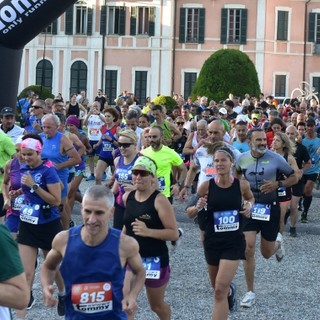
{"points": [[99, 254]]}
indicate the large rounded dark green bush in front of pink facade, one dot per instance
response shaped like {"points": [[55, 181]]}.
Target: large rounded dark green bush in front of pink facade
{"points": [[227, 71]]}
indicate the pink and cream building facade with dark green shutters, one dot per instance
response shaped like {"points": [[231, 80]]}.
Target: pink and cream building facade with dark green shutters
{"points": [[154, 47]]}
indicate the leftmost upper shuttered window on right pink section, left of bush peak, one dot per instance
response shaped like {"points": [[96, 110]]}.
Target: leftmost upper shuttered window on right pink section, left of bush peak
{"points": [[192, 22]]}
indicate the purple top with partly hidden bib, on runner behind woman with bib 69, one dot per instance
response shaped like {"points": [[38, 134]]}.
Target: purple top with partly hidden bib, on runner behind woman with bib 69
{"points": [[15, 184]]}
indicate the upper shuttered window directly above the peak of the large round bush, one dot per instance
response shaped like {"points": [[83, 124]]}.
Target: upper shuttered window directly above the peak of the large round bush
{"points": [[234, 26]]}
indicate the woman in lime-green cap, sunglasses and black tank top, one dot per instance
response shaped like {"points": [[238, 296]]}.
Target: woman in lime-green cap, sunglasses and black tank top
{"points": [[150, 219]]}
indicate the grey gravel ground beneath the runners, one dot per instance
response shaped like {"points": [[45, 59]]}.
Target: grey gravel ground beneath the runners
{"points": [[288, 290]]}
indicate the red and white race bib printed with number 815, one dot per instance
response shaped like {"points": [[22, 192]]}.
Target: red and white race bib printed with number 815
{"points": [[92, 297]]}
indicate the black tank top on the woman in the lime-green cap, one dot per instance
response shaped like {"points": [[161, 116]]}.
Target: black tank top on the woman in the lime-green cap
{"points": [[145, 211]]}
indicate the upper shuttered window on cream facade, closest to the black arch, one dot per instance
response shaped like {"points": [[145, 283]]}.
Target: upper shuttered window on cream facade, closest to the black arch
{"points": [[79, 19]]}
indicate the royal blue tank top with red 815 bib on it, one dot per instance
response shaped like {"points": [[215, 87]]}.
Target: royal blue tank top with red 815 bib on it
{"points": [[93, 277]]}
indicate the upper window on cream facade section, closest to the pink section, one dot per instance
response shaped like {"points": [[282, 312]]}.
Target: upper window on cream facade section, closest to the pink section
{"points": [[142, 21]]}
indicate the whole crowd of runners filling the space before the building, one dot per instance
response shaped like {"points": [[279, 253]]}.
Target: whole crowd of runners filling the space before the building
{"points": [[261, 154]]}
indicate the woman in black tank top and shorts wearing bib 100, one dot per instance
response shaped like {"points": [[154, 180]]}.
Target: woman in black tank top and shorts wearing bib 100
{"points": [[225, 200]]}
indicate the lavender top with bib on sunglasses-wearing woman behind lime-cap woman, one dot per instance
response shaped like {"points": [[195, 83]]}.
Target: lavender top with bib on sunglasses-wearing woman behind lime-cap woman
{"points": [[123, 174]]}
